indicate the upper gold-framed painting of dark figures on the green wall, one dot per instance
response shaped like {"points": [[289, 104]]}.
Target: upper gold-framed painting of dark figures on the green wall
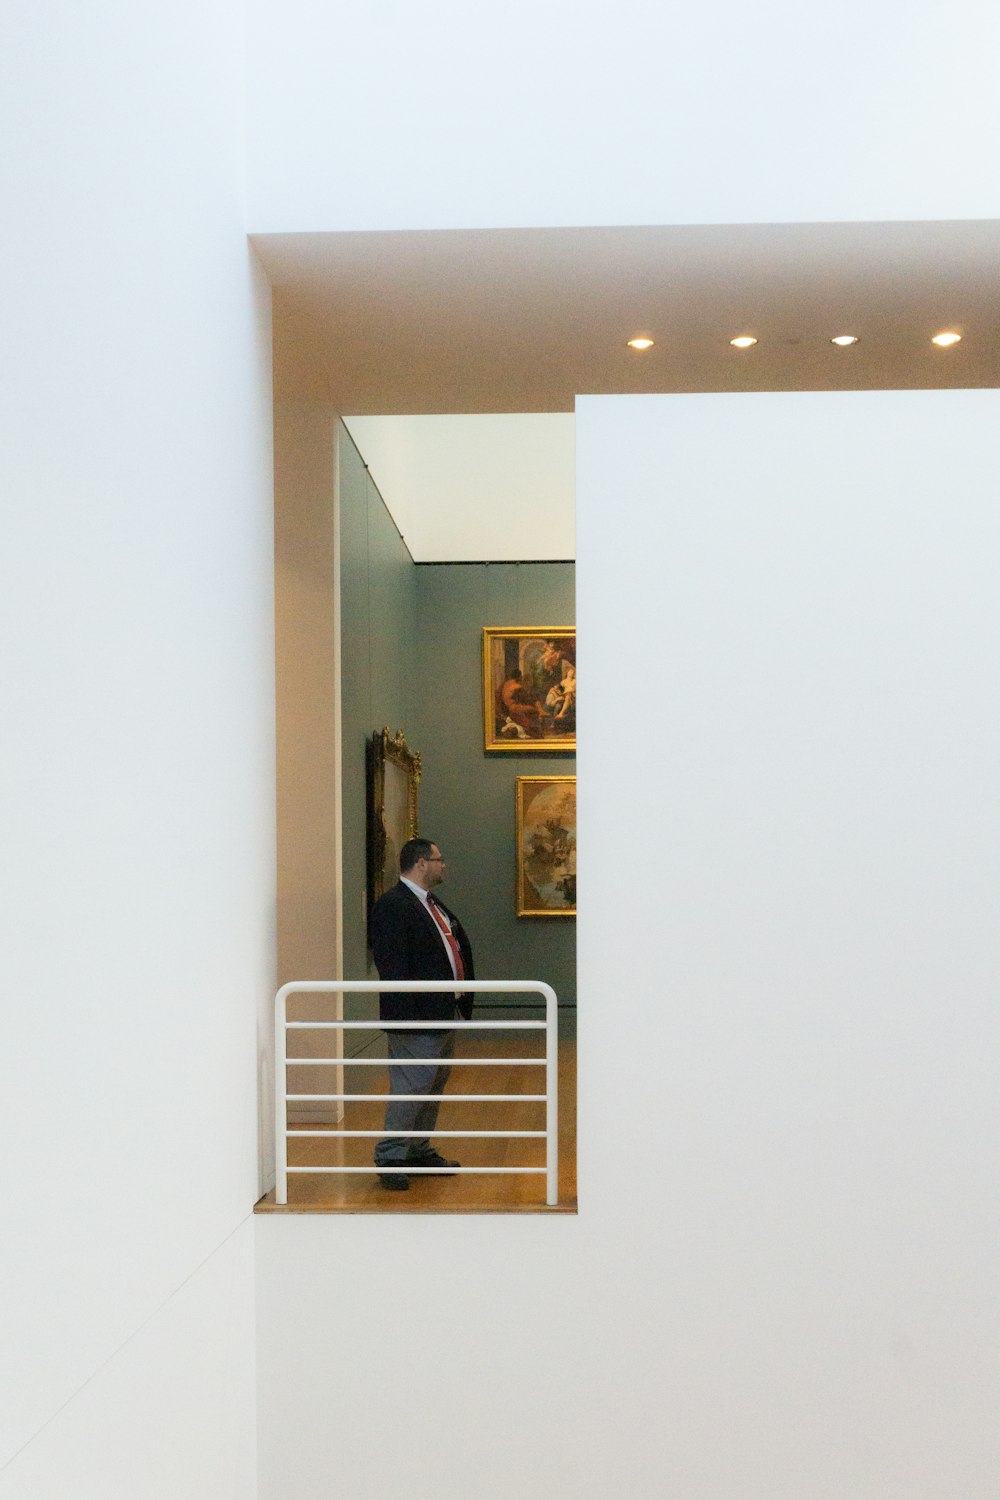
{"points": [[530, 689]]}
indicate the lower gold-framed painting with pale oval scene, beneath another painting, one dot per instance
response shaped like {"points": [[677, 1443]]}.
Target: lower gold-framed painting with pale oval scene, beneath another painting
{"points": [[545, 823]]}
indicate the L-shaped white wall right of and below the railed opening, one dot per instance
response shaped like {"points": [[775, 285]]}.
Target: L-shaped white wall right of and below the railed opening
{"points": [[783, 1274]]}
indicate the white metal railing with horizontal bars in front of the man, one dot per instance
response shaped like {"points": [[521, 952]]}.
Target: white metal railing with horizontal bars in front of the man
{"points": [[551, 1064]]}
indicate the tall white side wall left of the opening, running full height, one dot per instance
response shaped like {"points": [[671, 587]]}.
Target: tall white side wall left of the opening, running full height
{"points": [[137, 752]]}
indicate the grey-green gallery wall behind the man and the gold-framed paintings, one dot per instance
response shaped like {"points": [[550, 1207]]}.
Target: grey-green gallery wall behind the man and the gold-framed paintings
{"points": [[412, 661]]}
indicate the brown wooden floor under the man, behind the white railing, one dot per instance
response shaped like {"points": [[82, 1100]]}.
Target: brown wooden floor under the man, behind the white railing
{"points": [[464, 1193]]}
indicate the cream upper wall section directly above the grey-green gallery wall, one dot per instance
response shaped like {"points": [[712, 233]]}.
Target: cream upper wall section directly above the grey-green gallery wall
{"points": [[476, 488]]}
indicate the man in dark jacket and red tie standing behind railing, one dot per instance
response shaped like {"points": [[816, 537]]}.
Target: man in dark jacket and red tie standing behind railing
{"points": [[415, 937]]}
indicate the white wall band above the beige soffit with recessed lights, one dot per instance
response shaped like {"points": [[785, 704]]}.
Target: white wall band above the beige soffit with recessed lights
{"points": [[515, 115]]}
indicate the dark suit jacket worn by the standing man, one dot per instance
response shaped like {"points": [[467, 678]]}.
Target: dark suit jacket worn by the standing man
{"points": [[409, 946]]}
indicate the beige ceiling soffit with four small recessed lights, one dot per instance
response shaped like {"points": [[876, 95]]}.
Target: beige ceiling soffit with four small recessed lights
{"points": [[525, 320]]}
